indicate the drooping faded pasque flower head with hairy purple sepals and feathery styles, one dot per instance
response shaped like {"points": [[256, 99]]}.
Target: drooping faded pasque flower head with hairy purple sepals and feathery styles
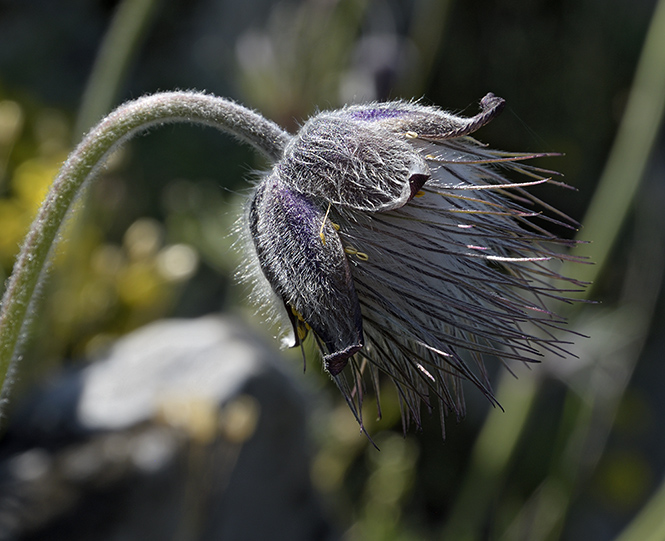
{"points": [[397, 242]]}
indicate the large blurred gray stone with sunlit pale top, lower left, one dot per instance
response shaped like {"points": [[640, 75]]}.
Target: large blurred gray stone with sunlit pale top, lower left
{"points": [[187, 430]]}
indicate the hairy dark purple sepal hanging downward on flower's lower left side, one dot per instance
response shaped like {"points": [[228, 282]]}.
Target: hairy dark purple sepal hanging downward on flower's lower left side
{"points": [[310, 273]]}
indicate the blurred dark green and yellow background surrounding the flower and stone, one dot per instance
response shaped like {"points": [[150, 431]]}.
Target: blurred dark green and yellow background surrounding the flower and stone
{"points": [[579, 452]]}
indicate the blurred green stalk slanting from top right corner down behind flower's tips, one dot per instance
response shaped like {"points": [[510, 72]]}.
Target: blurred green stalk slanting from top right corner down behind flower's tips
{"points": [[607, 213]]}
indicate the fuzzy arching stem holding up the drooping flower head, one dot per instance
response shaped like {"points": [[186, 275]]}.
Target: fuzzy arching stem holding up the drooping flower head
{"points": [[85, 162]]}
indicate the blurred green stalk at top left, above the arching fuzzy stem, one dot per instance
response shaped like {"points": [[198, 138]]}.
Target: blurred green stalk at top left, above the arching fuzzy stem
{"points": [[116, 52]]}
